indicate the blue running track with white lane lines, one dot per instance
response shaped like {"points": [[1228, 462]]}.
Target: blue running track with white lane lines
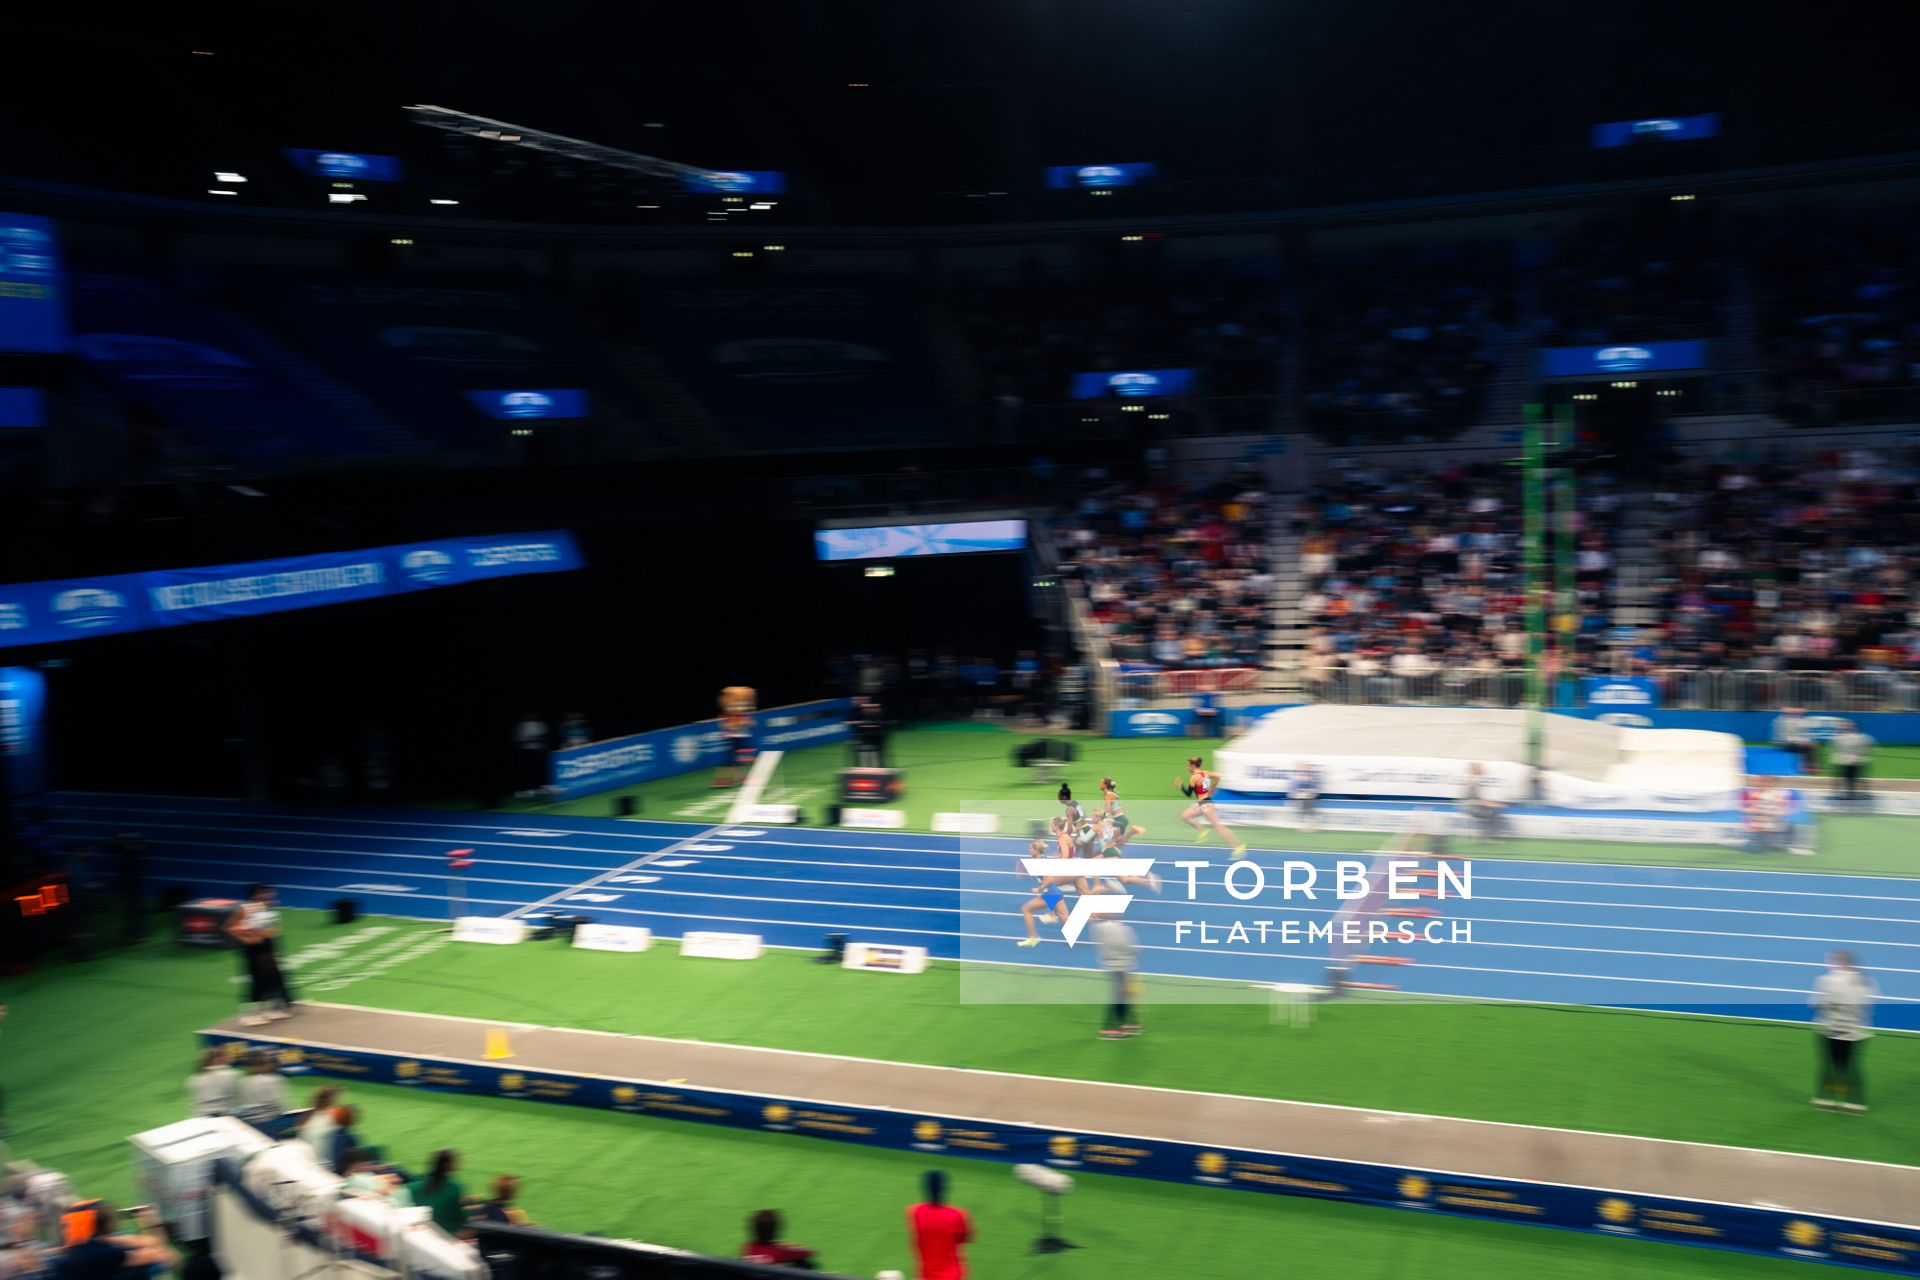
{"points": [[1698, 941]]}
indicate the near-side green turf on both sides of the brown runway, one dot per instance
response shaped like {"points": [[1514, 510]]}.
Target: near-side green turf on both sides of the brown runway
{"points": [[101, 1051]]}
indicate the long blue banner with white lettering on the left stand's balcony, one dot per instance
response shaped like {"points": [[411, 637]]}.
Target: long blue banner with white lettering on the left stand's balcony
{"points": [[39, 613]]}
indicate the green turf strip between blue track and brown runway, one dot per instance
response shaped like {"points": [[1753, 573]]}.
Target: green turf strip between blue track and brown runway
{"points": [[1729, 1081]]}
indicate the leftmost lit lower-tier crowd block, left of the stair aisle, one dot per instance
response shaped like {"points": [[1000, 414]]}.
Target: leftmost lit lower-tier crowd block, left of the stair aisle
{"points": [[1174, 581]]}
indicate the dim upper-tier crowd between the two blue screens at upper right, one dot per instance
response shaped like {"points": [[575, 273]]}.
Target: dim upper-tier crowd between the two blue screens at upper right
{"points": [[1646, 279]]}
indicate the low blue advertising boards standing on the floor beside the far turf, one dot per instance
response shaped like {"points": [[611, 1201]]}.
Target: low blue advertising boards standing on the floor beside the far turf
{"points": [[683, 749]]}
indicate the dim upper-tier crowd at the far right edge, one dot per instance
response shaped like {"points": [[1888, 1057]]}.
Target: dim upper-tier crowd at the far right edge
{"points": [[1840, 316]]}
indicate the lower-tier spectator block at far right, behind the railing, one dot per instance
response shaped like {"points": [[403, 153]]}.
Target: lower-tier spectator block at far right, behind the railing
{"points": [[1790, 565]]}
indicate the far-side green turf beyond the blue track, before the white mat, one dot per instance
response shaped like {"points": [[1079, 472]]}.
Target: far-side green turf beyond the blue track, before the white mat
{"points": [[969, 767]]}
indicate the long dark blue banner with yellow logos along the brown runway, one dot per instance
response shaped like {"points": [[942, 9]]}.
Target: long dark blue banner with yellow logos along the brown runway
{"points": [[1428, 1191]]}
